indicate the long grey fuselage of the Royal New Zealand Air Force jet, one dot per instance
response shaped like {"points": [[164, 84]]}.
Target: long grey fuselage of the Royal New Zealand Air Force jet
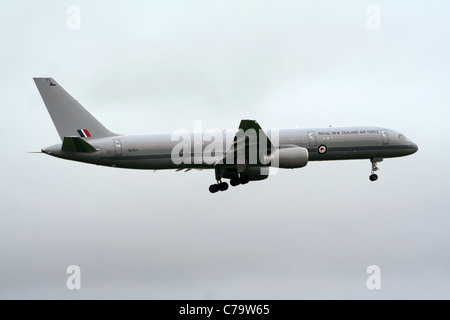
{"points": [[154, 151]]}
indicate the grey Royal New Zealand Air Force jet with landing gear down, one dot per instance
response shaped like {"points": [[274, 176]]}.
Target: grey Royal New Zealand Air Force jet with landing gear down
{"points": [[242, 155]]}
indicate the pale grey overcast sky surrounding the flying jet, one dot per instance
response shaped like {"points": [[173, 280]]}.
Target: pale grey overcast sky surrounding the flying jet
{"points": [[157, 66]]}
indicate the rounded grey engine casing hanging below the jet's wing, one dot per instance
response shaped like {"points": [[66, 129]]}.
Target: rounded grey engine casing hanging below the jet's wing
{"points": [[289, 157]]}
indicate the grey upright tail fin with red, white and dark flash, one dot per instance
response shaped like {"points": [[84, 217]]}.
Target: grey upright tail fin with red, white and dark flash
{"points": [[68, 115]]}
